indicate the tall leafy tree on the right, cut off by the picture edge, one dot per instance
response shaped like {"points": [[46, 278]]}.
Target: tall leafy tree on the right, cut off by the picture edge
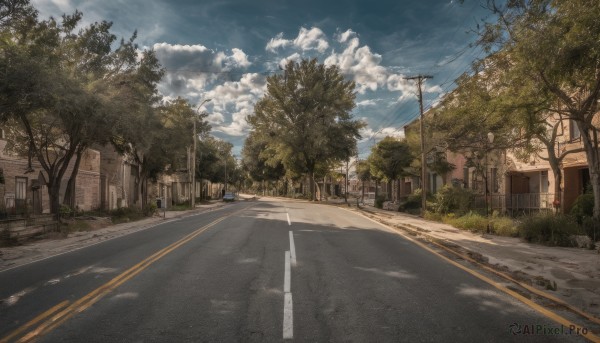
{"points": [[554, 44]]}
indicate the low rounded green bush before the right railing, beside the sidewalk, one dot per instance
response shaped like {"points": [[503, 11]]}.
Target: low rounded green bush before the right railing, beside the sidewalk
{"points": [[547, 228]]}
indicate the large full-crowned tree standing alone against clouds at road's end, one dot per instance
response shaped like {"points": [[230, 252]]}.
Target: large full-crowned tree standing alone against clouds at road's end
{"points": [[305, 117]]}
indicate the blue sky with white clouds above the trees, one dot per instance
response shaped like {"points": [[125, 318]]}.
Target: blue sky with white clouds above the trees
{"points": [[224, 49]]}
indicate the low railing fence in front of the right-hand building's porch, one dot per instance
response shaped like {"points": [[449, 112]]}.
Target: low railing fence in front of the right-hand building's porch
{"points": [[516, 204]]}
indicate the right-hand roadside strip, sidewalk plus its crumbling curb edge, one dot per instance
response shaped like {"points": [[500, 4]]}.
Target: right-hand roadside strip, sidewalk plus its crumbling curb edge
{"points": [[560, 277]]}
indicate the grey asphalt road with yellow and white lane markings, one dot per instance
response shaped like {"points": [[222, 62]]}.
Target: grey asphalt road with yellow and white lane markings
{"points": [[229, 276]]}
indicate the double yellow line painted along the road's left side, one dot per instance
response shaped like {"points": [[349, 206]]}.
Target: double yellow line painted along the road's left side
{"points": [[57, 315]]}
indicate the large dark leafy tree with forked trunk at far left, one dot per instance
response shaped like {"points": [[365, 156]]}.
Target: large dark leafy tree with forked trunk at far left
{"points": [[65, 89]]}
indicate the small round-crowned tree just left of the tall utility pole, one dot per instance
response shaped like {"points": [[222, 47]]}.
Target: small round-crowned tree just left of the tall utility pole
{"points": [[388, 160]]}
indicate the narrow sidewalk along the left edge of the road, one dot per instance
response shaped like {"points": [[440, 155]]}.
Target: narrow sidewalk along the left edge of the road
{"points": [[34, 250]]}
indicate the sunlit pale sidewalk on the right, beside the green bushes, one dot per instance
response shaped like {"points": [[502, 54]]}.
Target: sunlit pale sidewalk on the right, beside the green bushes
{"points": [[575, 271]]}
